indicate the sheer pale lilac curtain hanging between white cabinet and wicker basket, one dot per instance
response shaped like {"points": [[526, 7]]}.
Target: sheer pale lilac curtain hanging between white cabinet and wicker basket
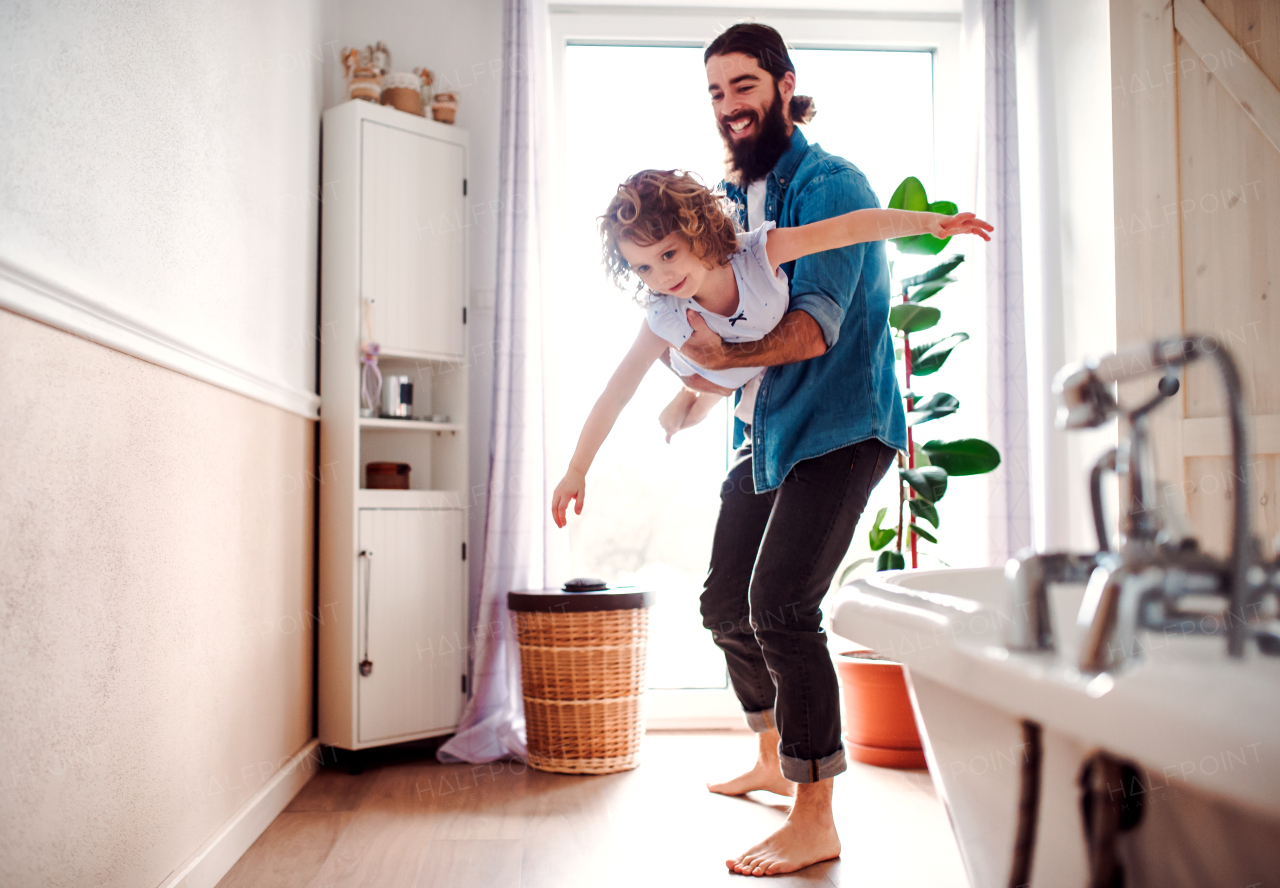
{"points": [[520, 551]]}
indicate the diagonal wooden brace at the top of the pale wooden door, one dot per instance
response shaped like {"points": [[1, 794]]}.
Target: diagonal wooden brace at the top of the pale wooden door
{"points": [[1235, 70]]}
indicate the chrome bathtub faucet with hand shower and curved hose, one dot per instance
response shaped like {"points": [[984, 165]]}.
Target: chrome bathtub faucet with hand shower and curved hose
{"points": [[1160, 579]]}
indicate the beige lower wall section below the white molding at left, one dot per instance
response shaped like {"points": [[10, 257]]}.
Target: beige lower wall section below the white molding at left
{"points": [[157, 548]]}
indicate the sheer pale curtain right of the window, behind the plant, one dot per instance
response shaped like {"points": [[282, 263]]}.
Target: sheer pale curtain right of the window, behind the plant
{"points": [[991, 63]]}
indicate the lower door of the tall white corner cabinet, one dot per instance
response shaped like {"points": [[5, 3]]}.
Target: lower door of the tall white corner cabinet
{"points": [[413, 596]]}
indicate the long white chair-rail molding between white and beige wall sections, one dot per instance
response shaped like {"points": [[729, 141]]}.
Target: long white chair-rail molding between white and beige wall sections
{"points": [[33, 296]]}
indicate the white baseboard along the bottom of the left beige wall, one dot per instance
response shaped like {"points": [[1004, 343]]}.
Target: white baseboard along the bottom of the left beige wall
{"points": [[216, 858]]}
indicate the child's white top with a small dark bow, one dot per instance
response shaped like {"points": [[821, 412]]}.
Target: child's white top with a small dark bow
{"points": [[762, 301]]}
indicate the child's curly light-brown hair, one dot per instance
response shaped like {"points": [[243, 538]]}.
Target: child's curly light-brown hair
{"points": [[653, 204]]}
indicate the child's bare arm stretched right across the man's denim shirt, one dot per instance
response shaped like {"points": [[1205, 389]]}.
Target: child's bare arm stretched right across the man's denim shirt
{"points": [[865, 226]]}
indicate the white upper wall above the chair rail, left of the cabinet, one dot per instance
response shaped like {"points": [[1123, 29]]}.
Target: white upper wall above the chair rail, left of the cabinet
{"points": [[162, 161]]}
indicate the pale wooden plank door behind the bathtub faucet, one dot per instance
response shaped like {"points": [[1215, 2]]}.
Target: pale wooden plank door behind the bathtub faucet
{"points": [[1197, 202]]}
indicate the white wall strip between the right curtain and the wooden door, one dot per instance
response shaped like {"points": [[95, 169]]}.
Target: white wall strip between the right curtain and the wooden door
{"points": [[1064, 107]]}
